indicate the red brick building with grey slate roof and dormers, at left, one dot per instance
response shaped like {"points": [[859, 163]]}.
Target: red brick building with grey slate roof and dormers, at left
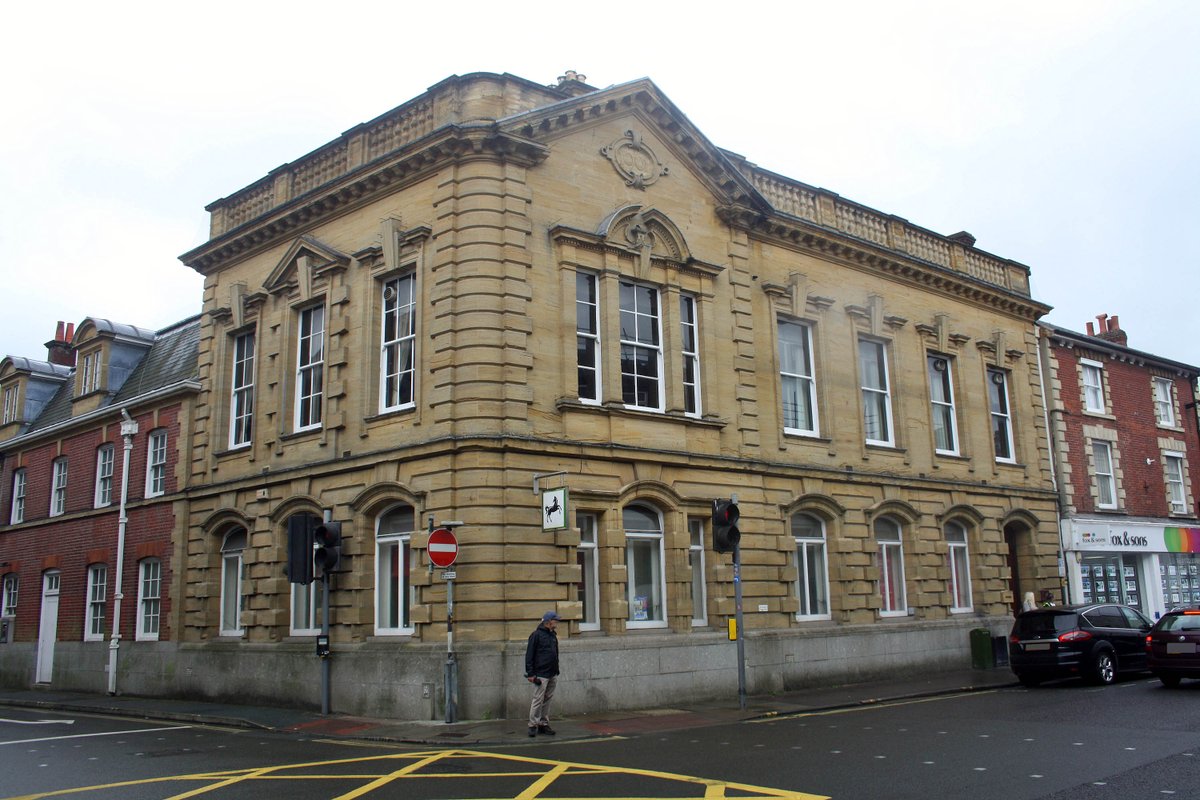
{"points": [[92, 438]]}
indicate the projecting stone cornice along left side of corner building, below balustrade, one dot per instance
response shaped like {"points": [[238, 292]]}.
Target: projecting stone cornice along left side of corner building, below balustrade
{"points": [[364, 185]]}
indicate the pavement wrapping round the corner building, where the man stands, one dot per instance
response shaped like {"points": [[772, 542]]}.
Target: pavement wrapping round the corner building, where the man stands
{"points": [[509, 732]]}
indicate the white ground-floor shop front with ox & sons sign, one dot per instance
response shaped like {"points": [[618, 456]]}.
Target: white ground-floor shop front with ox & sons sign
{"points": [[1148, 566]]}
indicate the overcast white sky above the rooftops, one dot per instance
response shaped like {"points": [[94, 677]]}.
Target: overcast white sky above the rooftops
{"points": [[1061, 135]]}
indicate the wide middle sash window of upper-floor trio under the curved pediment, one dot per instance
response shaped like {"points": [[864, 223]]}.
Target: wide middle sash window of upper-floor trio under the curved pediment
{"points": [[641, 348]]}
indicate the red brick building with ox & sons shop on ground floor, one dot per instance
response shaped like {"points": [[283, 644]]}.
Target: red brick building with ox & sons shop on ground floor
{"points": [[1127, 462]]}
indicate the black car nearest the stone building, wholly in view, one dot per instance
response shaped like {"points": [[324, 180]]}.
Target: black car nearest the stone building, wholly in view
{"points": [[1094, 641]]}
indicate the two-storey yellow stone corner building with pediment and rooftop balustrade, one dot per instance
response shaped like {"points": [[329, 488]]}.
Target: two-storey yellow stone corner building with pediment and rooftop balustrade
{"points": [[501, 286]]}
